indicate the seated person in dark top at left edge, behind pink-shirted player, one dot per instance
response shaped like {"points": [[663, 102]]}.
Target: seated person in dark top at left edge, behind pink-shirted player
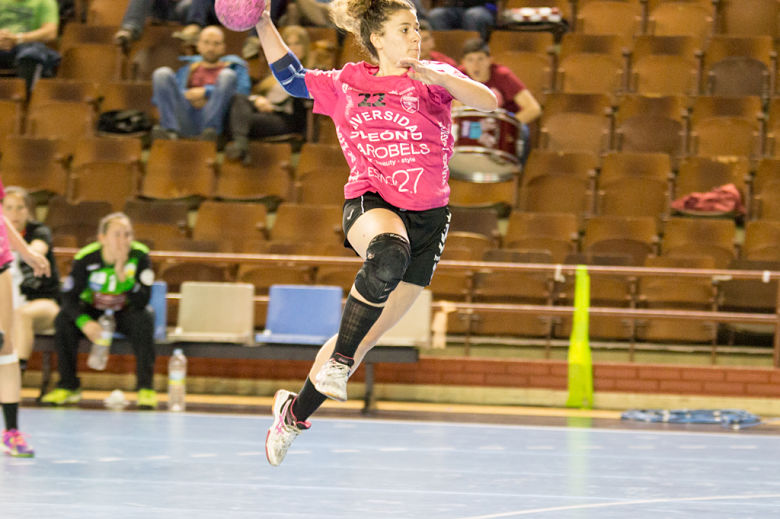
{"points": [[36, 302]]}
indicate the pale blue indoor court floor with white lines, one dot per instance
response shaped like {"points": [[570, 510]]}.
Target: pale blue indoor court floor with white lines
{"points": [[116, 465]]}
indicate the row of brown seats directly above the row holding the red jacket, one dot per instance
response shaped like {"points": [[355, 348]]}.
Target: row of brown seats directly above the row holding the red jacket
{"points": [[676, 125]]}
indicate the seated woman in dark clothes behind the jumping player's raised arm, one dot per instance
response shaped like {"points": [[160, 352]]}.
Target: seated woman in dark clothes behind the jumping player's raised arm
{"points": [[272, 111]]}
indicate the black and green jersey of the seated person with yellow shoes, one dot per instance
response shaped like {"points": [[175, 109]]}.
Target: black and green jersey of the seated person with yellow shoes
{"points": [[94, 284]]}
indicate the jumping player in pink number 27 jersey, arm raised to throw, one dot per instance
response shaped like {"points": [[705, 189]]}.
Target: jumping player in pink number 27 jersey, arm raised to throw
{"points": [[394, 125]]}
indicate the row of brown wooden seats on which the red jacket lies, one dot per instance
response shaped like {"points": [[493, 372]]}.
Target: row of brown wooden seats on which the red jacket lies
{"points": [[631, 184]]}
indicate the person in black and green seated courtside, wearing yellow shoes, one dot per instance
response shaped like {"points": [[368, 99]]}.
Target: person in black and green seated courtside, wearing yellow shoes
{"points": [[113, 273]]}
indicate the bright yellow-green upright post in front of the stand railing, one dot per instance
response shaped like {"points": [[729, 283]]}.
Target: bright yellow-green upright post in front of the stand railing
{"points": [[580, 366]]}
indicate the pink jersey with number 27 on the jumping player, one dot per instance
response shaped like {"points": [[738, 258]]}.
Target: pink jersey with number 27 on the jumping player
{"points": [[394, 131]]}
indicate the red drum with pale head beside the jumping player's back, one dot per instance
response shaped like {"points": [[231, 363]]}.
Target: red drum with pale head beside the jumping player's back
{"points": [[485, 145]]}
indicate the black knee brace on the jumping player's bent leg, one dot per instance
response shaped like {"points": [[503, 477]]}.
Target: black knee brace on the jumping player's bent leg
{"points": [[387, 257]]}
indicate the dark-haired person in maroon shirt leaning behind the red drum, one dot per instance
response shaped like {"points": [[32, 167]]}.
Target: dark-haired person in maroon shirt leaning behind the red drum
{"points": [[512, 94]]}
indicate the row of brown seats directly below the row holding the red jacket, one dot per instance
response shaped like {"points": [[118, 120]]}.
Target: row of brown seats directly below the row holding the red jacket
{"points": [[315, 229]]}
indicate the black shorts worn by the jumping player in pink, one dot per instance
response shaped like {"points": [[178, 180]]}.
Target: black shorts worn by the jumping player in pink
{"points": [[427, 231]]}
